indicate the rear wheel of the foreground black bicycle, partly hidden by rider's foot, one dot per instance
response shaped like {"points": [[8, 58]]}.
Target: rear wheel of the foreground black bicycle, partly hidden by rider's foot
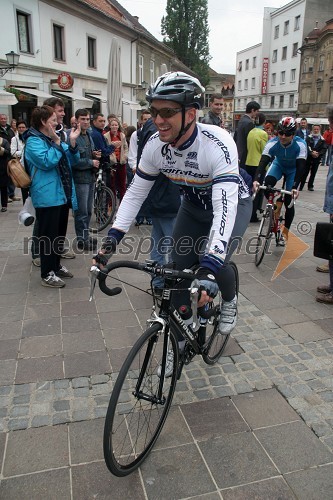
{"points": [[216, 342]]}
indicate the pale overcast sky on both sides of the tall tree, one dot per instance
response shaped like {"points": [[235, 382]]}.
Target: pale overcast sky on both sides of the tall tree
{"points": [[234, 25]]}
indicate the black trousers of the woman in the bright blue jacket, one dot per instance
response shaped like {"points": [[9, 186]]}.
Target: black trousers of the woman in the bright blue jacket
{"points": [[50, 240]]}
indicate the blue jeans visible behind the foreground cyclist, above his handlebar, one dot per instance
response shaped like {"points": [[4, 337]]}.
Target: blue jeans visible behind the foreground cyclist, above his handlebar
{"points": [[161, 243]]}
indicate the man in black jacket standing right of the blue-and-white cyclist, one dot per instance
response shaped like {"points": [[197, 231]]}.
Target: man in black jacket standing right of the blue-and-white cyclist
{"points": [[316, 152]]}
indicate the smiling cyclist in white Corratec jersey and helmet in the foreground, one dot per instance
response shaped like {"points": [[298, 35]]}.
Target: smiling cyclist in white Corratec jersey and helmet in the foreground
{"points": [[203, 160]]}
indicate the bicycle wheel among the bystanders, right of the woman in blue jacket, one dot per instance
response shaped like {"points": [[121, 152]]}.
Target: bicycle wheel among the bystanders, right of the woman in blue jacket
{"points": [[104, 207]]}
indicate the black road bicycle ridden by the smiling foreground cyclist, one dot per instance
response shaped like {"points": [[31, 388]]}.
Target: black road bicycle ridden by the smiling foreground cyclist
{"points": [[142, 394]]}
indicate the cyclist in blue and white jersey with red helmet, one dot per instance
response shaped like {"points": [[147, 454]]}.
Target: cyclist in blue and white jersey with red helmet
{"points": [[287, 153]]}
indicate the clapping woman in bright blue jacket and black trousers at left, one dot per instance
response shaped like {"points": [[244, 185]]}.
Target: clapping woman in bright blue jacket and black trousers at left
{"points": [[48, 161]]}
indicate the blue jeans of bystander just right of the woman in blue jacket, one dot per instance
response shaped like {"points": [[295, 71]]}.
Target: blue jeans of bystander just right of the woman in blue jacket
{"points": [[82, 216]]}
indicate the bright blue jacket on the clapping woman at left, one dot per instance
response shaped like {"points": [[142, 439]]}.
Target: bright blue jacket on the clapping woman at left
{"points": [[41, 158]]}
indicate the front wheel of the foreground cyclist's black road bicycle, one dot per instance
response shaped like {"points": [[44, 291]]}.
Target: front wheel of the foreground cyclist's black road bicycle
{"points": [[133, 424]]}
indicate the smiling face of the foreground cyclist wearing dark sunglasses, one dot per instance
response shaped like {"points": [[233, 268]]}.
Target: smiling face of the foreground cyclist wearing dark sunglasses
{"points": [[170, 127]]}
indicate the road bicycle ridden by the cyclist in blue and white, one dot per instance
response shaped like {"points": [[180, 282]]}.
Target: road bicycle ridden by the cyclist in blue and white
{"points": [[271, 222]]}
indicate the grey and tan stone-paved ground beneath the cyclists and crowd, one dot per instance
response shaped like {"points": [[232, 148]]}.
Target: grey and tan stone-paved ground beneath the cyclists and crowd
{"points": [[60, 354]]}
